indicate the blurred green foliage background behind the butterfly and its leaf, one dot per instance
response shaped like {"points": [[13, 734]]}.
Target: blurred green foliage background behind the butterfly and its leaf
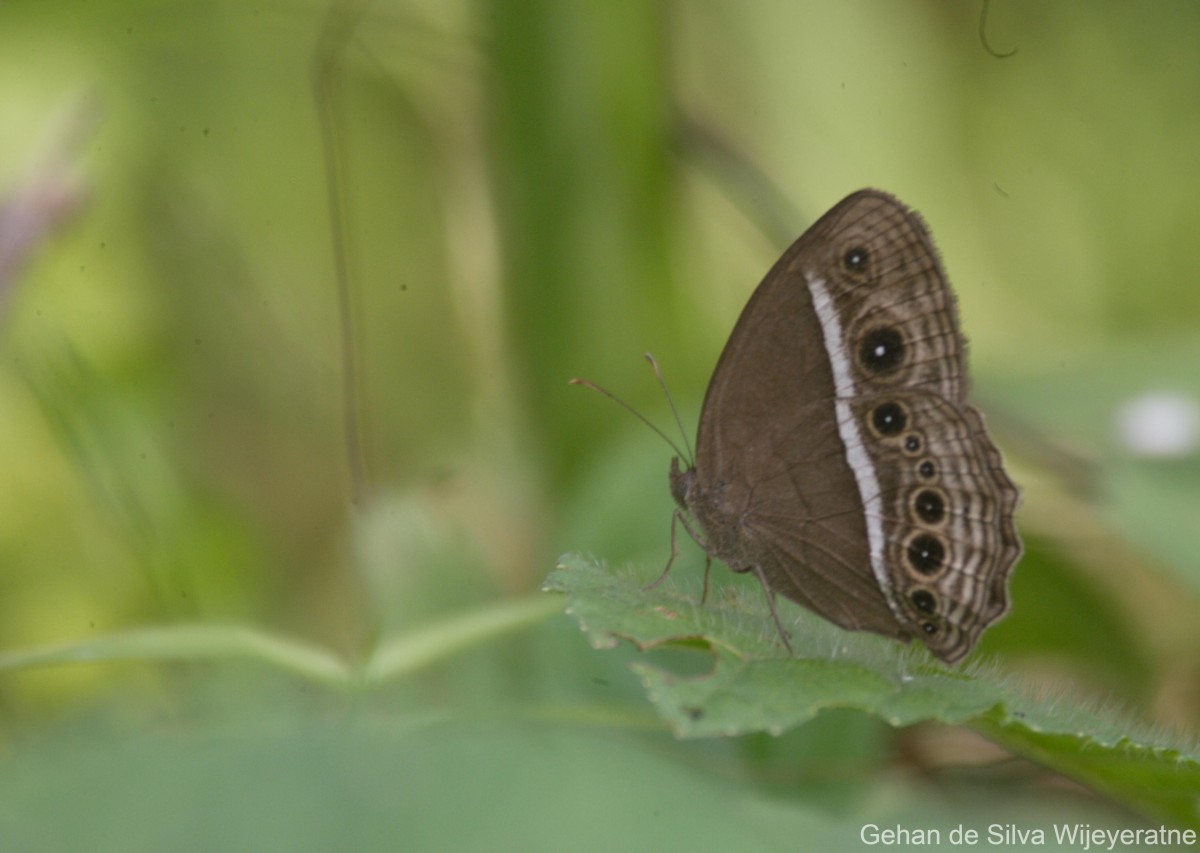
{"points": [[201, 423]]}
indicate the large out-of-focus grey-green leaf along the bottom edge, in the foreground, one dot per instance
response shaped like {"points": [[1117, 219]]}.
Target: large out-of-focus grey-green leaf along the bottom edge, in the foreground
{"points": [[365, 782]]}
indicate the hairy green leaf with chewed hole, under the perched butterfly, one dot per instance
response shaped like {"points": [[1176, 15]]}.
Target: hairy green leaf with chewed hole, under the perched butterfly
{"points": [[754, 686]]}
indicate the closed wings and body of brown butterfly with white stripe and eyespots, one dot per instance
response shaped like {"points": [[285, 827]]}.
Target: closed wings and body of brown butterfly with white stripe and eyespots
{"points": [[837, 456]]}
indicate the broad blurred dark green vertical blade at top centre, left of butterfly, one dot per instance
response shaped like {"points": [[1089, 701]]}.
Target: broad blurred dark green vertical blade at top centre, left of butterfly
{"points": [[586, 193]]}
